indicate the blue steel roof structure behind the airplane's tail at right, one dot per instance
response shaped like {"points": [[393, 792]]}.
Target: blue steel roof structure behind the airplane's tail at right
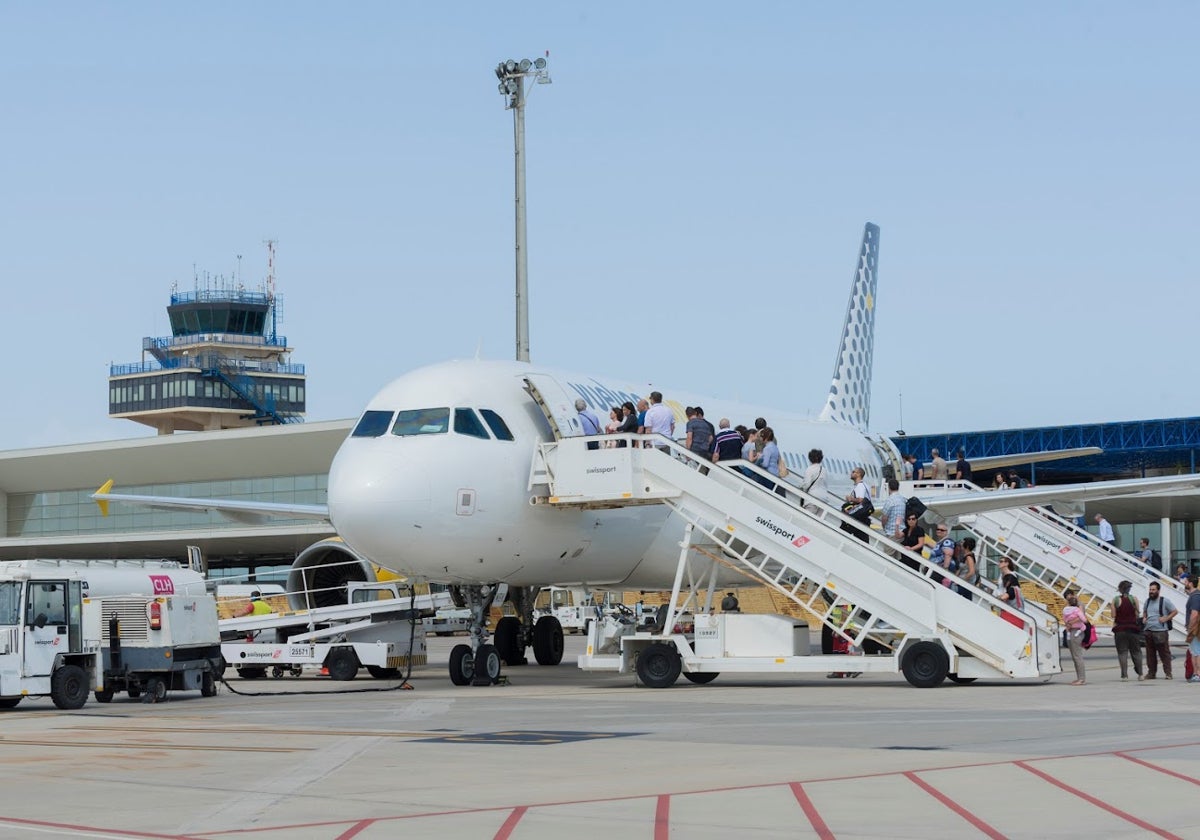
{"points": [[1132, 449]]}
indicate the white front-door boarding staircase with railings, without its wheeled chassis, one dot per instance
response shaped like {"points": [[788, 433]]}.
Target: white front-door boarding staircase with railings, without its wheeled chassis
{"points": [[799, 547]]}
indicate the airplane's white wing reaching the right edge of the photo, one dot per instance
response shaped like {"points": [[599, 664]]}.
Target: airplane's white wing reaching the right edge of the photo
{"points": [[1064, 496]]}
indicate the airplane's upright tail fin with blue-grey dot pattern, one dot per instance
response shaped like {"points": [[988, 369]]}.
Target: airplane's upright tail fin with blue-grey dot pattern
{"points": [[850, 393]]}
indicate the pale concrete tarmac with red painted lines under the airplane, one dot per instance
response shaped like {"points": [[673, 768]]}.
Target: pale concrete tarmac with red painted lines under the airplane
{"points": [[559, 753]]}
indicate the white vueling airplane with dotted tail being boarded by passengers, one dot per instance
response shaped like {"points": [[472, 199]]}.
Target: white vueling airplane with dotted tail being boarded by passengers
{"points": [[434, 483]]}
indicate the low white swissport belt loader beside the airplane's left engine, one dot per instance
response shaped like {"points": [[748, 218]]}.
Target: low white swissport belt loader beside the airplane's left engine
{"points": [[383, 637]]}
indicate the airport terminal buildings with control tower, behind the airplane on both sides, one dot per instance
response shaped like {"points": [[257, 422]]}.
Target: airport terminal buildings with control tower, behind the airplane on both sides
{"points": [[225, 377]]}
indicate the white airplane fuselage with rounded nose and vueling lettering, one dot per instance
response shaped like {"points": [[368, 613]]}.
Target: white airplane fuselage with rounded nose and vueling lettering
{"points": [[453, 507]]}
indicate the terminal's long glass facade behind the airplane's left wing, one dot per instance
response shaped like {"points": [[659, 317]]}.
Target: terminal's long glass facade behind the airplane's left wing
{"points": [[74, 513]]}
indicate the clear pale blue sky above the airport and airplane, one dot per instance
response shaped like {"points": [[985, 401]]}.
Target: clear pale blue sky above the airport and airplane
{"points": [[698, 179]]}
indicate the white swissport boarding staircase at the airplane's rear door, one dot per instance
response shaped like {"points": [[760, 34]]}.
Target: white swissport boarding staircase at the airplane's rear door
{"points": [[1057, 554]]}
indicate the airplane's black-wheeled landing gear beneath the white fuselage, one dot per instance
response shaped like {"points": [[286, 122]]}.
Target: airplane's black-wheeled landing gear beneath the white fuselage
{"points": [[479, 663]]}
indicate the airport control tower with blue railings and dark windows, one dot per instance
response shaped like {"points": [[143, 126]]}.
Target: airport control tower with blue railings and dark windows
{"points": [[224, 367]]}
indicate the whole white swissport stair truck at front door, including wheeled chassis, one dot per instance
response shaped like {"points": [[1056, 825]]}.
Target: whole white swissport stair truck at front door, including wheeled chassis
{"points": [[863, 589]]}
